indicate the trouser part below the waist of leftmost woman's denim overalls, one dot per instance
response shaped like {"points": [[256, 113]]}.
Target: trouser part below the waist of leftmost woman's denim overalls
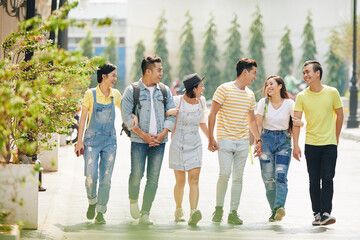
{"points": [[99, 156]]}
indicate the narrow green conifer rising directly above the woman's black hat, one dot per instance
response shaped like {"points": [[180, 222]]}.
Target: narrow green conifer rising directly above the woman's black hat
{"points": [[187, 49]]}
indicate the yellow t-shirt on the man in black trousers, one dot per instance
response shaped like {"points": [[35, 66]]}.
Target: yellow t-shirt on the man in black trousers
{"points": [[319, 109]]}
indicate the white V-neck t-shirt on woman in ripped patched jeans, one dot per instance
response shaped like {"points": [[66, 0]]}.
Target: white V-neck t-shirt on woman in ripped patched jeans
{"points": [[276, 119]]}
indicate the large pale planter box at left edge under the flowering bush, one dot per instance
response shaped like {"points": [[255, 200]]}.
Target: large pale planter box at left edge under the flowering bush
{"points": [[19, 185]]}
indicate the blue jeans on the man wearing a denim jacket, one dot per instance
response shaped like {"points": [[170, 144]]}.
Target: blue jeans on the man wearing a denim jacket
{"points": [[139, 152]]}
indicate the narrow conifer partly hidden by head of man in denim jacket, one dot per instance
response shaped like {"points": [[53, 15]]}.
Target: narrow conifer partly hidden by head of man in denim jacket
{"points": [[161, 50]]}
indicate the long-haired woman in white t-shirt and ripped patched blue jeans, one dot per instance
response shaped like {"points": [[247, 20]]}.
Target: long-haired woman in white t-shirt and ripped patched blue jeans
{"points": [[275, 117]]}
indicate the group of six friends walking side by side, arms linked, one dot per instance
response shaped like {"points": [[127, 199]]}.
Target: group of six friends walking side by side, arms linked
{"points": [[150, 112]]}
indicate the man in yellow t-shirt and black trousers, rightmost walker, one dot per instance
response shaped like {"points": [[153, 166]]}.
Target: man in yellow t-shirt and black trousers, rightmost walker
{"points": [[324, 116]]}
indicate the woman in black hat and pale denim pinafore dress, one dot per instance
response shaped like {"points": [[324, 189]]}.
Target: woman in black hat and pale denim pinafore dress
{"points": [[186, 149]]}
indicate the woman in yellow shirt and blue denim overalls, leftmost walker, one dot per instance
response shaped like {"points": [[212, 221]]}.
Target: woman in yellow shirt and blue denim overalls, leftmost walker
{"points": [[99, 146]]}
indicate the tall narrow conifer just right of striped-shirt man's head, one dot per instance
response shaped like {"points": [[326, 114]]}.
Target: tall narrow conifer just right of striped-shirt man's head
{"points": [[256, 49]]}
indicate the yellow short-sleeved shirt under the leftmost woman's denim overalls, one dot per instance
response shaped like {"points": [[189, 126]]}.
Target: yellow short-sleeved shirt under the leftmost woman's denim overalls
{"points": [[88, 100]]}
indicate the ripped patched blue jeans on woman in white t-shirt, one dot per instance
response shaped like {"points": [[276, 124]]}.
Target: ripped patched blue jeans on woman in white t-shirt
{"points": [[274, 163]]}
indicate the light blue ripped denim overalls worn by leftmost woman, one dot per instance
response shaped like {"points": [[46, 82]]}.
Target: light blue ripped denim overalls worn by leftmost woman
{"points": [[100, 153]]}
